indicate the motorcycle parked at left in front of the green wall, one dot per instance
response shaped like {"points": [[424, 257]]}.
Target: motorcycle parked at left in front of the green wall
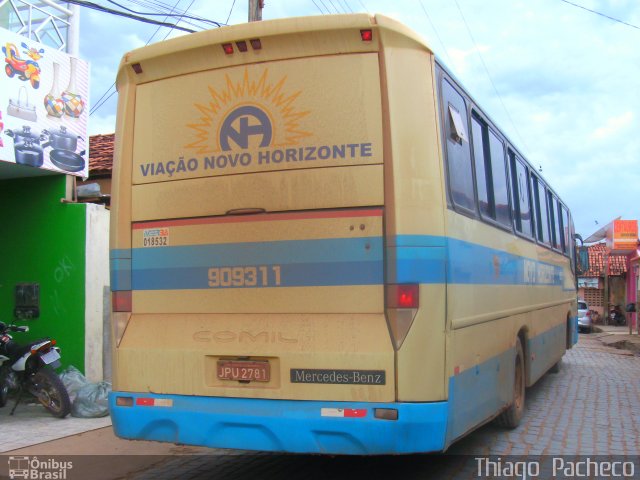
{"points": [[30, 368]]}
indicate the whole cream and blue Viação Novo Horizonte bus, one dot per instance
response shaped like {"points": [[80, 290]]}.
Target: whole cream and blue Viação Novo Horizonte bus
{"points": [[320, 243]]}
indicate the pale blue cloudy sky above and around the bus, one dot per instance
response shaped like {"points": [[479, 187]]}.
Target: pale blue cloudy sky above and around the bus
{"points": [[561, 82]]}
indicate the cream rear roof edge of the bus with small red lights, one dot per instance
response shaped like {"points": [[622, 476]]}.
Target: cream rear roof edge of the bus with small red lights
{"points": [[282, 38]]}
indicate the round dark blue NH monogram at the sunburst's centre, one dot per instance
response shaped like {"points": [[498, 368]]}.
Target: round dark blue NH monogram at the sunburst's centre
{"points": [[241, 124]]}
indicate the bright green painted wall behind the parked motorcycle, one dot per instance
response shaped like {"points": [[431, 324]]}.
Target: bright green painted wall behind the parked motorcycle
{"points": [[43, 240]]}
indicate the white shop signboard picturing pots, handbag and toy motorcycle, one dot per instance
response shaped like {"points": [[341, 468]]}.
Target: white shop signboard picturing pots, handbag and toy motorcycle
{"points": [[43, 106]]}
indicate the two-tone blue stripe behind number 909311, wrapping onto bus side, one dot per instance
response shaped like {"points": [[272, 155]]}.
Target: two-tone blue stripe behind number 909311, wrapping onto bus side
{"points": [[331, 262]]}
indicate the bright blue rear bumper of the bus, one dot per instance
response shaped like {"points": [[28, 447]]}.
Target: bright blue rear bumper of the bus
{"points": [[280, 425]]}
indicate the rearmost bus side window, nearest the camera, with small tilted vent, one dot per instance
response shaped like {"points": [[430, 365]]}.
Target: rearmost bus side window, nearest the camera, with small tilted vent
{"points": [[457, 148]]}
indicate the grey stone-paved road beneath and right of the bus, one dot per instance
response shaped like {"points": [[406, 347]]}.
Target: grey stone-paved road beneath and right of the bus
{"points": [[592, 407]]}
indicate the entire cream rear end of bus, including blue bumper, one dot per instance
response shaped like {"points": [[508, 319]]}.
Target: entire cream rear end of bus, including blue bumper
{"points": [[276, 285]]}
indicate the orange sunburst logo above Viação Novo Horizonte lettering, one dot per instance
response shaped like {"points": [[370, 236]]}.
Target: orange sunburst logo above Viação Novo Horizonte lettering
{"points": [[247, 114]]}
